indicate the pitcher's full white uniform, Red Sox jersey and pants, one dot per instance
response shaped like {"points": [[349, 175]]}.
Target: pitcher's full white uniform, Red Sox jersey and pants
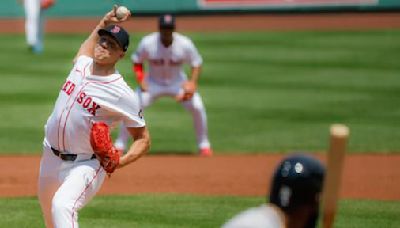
{"points": [[67, 186]]}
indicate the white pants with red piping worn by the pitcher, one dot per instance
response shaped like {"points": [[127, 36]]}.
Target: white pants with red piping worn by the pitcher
{"points": [[67, 186]]}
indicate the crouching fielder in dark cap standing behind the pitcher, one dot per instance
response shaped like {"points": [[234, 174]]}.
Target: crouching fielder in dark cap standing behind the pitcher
{"points": [[166, 51]]}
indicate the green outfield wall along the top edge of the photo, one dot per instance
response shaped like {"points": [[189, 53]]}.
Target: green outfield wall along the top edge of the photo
{"points": [[71, 8]]}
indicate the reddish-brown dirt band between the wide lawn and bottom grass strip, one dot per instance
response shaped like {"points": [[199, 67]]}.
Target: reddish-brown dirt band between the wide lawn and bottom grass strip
{"points": [[364, 176]]}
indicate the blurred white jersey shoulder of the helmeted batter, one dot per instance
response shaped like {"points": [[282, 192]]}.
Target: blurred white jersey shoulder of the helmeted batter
{"points": [[263, 216]]}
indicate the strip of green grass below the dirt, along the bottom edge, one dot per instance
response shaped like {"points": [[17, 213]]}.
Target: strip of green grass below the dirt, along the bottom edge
{"points": [[166, 210]]}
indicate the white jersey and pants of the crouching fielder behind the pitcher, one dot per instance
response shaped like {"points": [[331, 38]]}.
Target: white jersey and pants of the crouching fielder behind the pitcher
{"points": [[165, 78]]}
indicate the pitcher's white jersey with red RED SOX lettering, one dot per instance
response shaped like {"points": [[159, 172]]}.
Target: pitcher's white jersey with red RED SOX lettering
{"points": [[85, 98]]}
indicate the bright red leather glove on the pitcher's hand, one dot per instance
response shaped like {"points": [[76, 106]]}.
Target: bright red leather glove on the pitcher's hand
{"points": [[102, 145]]}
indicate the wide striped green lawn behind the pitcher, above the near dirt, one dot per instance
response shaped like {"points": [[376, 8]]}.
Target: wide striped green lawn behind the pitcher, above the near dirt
{"points": [[264, 91]]}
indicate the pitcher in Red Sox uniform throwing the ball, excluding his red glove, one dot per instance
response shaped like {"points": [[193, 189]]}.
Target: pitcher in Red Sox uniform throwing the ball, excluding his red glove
{"points": [[94, 92]]}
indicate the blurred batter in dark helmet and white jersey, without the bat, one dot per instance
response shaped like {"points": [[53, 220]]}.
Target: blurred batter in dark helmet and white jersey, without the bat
{"points": [[294, 197]]}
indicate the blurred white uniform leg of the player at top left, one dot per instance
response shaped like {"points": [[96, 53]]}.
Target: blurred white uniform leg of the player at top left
{"points": [[34, 25]]}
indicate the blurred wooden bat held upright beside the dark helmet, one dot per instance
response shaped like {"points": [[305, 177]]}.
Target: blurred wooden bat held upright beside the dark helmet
{"points": [[335, 159]]}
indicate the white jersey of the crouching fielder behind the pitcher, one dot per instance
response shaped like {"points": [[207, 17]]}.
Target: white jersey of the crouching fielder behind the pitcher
{"points": [[165, 63]]}
